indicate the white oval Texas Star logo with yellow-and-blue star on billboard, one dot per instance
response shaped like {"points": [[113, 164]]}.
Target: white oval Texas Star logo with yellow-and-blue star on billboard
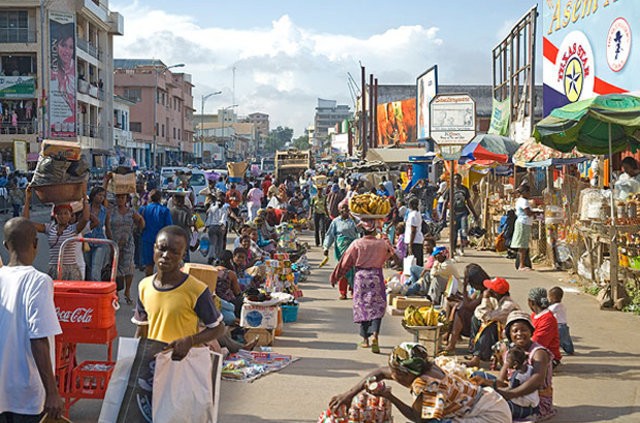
{"points": [[575, 66]]}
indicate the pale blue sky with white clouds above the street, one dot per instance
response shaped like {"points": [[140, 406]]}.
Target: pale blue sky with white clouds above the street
{"points": [[289, 53]]}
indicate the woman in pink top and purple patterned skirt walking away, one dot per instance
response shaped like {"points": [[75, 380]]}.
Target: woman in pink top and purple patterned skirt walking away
{"points": [[366, 256]]}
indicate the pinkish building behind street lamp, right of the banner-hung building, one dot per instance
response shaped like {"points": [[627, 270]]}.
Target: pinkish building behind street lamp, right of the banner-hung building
{"points": [[169, 120]]}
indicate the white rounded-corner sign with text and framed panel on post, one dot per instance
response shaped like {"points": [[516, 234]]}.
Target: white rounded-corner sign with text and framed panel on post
{"points": [[453, 119]]}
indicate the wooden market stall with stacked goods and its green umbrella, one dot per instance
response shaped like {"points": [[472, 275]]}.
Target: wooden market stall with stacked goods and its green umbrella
{"points": [[602, 125]]}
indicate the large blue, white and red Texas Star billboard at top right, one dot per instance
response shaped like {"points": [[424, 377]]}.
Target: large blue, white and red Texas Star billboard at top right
{"points": [[588, 50]]}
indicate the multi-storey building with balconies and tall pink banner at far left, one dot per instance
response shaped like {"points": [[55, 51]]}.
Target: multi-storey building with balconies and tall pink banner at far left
{"points": [[69, 58]]}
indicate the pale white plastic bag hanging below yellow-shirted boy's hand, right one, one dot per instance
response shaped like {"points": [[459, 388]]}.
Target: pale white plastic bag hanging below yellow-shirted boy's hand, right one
{"points": [[189, 389]]}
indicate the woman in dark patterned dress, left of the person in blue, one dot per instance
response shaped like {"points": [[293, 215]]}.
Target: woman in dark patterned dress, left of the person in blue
{"points": [[123, 222]]}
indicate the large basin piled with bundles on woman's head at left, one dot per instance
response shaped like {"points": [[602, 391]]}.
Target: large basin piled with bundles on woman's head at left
{"points": [[60, 173]]}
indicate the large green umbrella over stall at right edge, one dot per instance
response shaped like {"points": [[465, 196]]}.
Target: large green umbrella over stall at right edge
{"points": [[602, 125]]}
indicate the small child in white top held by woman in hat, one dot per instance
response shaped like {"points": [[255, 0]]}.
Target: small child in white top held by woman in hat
{"points": [[521, 371]]}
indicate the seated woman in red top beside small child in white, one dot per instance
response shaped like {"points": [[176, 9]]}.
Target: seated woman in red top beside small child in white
{"points": [[545, 324]]}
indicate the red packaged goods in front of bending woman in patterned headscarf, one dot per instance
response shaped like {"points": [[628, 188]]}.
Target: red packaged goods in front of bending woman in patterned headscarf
{"points": [[365, 407]]}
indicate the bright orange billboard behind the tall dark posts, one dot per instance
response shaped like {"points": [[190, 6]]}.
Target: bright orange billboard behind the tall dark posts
{"points": [[397, 122]]}
